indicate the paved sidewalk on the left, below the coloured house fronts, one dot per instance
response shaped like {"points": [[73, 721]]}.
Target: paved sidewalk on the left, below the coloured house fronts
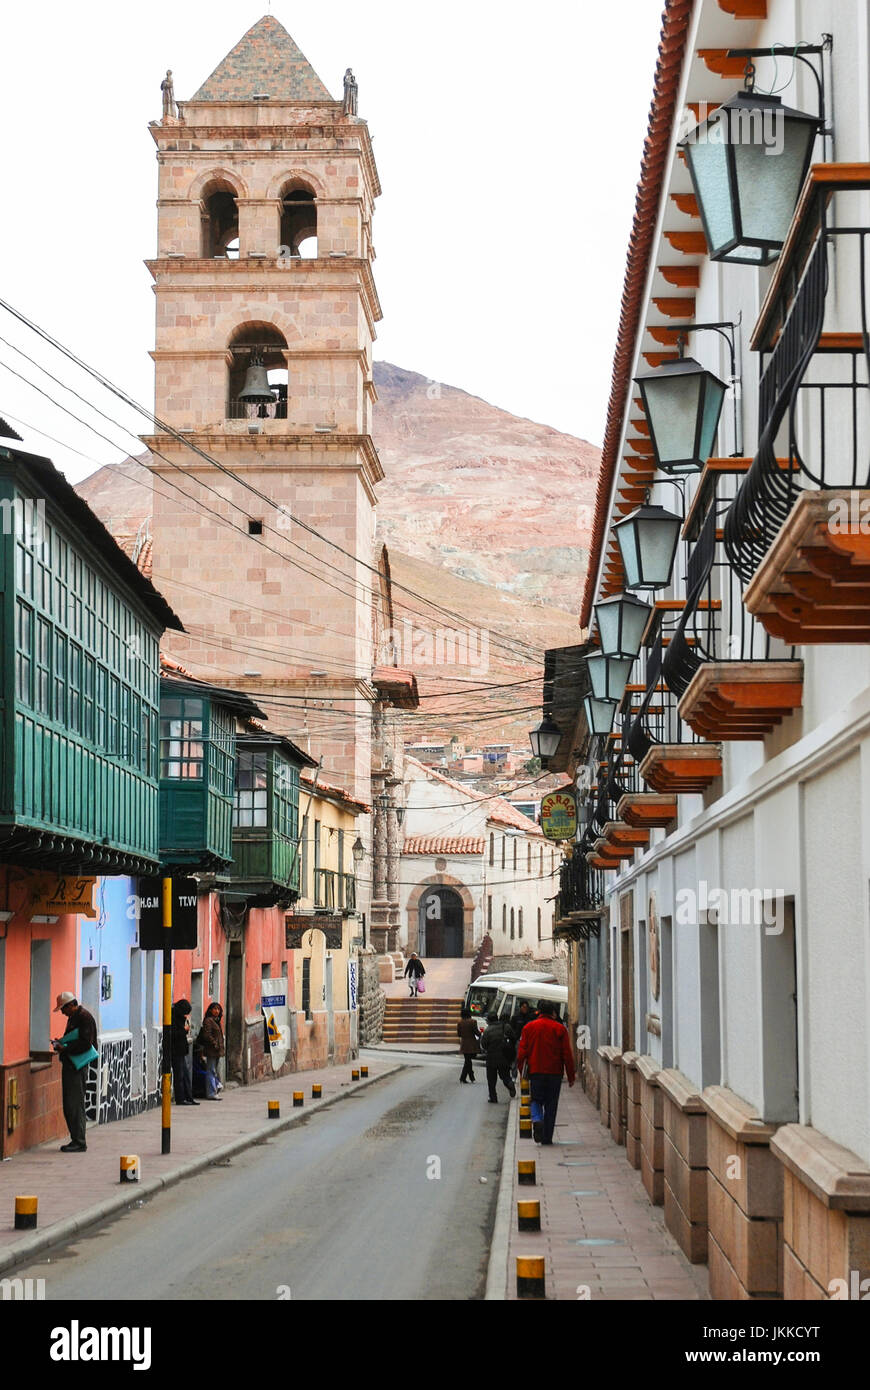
{"points": [[77, 1189]]}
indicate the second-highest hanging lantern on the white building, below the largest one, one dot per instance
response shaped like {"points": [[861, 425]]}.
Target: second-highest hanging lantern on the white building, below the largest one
{"points": [[683, 405]]}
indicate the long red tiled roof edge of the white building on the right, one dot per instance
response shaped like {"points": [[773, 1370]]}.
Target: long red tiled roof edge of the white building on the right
{"points": [[669, 67]]}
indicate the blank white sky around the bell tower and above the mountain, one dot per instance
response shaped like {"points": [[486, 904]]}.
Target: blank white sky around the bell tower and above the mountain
{"points": [[508, 140]]}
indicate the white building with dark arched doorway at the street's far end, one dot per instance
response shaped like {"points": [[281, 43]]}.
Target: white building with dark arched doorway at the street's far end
{"points": [[472, 865]]}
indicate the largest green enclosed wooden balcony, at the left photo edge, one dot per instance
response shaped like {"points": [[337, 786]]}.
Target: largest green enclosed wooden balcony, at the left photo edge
{"points": [[79, 682]]}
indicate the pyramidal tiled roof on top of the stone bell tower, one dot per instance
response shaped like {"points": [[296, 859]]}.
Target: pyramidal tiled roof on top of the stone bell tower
{"points": [[265, 60]]}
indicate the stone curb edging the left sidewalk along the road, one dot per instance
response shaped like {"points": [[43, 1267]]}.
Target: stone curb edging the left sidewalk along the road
{"points": [[134, 1195]]}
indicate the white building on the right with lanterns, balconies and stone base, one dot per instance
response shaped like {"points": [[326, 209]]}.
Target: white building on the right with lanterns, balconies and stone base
{"points": [[728, 986]]}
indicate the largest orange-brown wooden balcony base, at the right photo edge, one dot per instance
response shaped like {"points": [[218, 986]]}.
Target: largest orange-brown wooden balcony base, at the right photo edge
{"points": [[814, 586]]}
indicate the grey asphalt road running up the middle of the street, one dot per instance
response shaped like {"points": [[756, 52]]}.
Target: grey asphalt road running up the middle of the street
{"points": [[377, 1197]]}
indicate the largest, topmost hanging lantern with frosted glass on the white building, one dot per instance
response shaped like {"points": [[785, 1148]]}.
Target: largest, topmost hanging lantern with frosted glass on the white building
{"points": [[748, 162]]}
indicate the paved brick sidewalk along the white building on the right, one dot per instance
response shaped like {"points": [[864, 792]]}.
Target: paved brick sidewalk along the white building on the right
{"points": [[589, 1192]]}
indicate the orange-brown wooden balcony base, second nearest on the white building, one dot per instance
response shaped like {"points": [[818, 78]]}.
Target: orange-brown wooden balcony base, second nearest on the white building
{"points": [[741, 701]]}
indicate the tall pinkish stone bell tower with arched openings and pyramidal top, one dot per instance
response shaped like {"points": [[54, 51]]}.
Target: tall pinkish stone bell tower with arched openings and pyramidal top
{"points": [[266, 318]]}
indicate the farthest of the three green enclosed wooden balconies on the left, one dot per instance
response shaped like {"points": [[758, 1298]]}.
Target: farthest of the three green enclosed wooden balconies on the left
{"points": [[266, 821]]}
